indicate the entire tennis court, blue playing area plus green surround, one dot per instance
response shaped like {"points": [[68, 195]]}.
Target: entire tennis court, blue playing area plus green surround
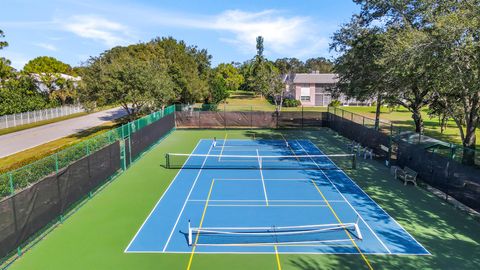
{"points": [[151, 197]]}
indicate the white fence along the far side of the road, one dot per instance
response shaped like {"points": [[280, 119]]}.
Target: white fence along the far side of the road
{"points": [[13, 120]]}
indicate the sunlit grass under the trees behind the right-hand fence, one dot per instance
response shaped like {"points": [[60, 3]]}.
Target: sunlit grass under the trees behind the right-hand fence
{"points": [[403, 118]]}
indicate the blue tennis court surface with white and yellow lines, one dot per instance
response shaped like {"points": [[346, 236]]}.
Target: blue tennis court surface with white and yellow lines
{"points": [[234, 208]]}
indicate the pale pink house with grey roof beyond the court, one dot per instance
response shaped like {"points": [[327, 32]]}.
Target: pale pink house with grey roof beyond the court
{"points": [[314, 89]]}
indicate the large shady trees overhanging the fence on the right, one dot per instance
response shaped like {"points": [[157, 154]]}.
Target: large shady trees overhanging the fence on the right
{"points": [[415, 53]]}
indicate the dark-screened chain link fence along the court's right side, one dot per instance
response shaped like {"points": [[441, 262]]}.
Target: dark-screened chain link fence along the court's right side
{"points": [[439, 164]]}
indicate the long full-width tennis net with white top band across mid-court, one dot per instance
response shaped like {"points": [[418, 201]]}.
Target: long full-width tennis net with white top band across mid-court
{"points": [[257, 162]]}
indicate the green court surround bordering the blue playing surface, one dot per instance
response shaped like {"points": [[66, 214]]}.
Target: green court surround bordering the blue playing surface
{"points": [[96, 236]]}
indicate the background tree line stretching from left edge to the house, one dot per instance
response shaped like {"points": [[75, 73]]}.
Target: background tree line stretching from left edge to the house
{"points": [[144, 77]]}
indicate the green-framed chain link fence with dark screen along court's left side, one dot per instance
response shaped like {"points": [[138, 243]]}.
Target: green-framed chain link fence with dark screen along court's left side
{"points": [[37, 196]]}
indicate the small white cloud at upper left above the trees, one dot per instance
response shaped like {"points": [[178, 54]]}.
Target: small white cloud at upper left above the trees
{"points": [[97, 28]]}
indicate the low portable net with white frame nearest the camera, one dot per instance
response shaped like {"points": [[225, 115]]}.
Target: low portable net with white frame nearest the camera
{"points": [[330, 234]]}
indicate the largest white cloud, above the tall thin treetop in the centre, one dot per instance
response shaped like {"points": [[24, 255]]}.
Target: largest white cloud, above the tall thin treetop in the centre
{"points": [[284, 35]]}
